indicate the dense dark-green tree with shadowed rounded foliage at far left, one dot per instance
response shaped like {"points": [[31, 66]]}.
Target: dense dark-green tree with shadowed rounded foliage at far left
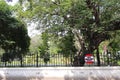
{"points": [[13, 34]]}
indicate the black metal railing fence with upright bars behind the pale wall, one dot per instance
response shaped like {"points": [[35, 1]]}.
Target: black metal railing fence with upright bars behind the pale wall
{"points": [[58, 60]]}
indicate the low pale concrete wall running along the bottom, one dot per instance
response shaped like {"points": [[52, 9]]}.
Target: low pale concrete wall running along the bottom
{"points": [[61, 73]]}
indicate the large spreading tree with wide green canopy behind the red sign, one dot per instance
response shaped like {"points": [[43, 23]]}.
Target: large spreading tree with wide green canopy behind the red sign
{"points": [[90, 21]]}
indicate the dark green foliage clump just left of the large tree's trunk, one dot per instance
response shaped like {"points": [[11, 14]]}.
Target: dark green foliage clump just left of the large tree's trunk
{"points": [[67, 44]]}
